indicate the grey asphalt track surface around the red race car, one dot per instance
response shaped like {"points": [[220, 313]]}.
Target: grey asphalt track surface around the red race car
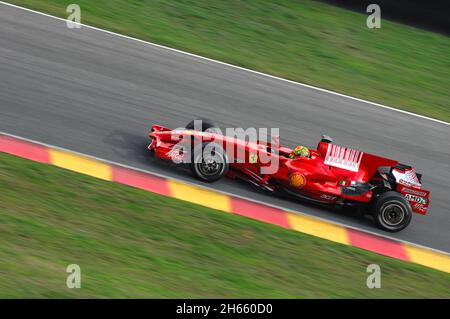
{"points": [[97, 93]]}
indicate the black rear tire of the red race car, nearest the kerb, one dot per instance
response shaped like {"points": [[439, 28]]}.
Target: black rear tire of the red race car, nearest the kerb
{"points": [[392, 212]]}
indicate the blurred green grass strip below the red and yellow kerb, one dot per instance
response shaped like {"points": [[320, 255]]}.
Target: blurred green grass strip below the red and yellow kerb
{"points": [[131, 243]]}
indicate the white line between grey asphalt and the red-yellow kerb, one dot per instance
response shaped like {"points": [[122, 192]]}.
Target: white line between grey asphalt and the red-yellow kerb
{"points": [[222, 192]]}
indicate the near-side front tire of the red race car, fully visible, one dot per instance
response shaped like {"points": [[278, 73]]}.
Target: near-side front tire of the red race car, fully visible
{"points": [[209, 162]]}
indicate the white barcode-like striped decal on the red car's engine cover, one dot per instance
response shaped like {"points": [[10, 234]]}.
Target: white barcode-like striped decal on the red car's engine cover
{"points": [[343, 157]]}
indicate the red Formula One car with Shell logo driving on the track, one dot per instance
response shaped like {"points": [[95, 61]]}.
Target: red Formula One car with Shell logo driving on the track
{"points": [[331, 174]]}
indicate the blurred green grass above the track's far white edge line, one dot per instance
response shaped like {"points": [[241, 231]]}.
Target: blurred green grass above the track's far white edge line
{"points": [[306, 41]]}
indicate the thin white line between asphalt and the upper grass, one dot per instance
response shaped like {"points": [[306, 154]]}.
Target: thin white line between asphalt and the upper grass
{"points": [[234, 66]]}
